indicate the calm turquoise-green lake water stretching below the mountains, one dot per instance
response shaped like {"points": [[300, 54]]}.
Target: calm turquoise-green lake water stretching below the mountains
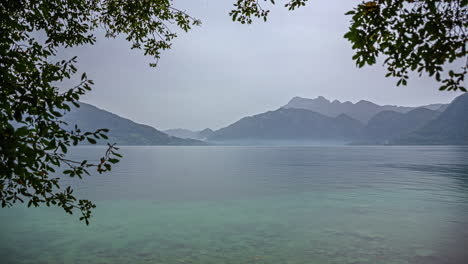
{"points": [[291, 205]]}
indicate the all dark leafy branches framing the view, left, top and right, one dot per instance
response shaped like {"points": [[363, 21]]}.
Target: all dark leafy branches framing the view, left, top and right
{"points": [[424, 36]]}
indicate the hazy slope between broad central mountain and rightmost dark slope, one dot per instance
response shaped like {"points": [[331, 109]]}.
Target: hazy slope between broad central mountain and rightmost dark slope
{"points": [[388, 125]]}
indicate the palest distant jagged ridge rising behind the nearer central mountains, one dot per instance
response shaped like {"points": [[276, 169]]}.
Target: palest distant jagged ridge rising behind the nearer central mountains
{"points": [[362, 110]]}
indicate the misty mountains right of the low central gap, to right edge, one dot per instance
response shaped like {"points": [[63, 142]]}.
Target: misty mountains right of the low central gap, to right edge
{"points": [[360, 123]]}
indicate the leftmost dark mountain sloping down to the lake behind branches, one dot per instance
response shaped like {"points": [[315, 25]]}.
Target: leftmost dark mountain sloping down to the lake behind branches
{"points": [[122, 131]]}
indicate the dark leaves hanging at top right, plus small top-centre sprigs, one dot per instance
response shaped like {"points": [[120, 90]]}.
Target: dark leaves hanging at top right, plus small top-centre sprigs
{"points": [[424, 36]]}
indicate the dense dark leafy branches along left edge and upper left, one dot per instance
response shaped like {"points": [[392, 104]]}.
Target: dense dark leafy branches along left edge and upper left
{"points": [[33, 138]]}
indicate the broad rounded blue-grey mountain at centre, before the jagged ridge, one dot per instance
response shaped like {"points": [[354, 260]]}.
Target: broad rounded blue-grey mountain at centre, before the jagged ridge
{"points": [[291, 124]]}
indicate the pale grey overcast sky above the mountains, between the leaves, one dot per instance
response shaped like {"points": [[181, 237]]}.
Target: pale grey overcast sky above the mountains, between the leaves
{"points": [[222, 71]]}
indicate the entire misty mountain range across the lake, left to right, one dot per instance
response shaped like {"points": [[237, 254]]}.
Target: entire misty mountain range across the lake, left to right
{"points": [[300, 120]]}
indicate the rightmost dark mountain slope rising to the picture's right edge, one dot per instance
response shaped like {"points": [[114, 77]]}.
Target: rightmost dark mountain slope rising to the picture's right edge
{"points": [[450, 127]]}
